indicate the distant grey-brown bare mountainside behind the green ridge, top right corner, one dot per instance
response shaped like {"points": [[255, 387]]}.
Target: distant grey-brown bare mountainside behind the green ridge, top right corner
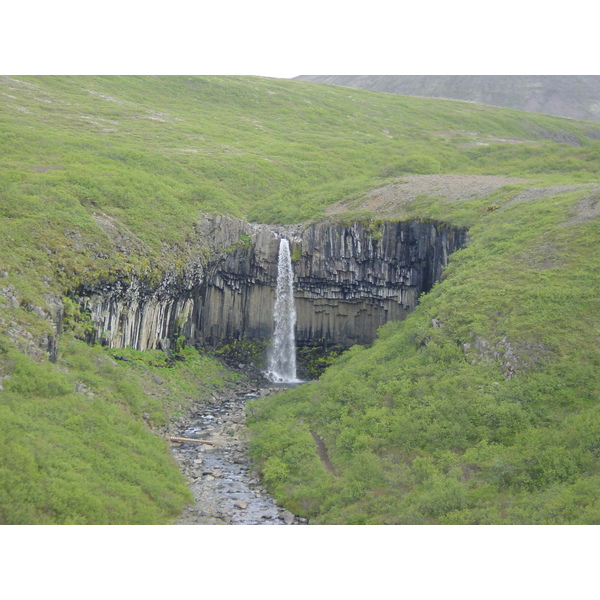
{"points": [[574, 96]]}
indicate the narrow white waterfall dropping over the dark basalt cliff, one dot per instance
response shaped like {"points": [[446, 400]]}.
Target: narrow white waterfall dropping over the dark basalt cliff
{"points": [[282, 354]]}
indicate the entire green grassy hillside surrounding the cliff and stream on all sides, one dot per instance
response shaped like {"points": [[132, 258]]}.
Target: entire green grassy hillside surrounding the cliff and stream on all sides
{"points": [[106, 175]]}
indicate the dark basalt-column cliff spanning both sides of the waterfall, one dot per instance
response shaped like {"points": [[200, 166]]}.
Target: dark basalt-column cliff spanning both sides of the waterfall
{"points": [[349, 280]]}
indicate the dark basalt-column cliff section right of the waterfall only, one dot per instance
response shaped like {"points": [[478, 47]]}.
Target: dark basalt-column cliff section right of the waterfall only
{"points": [[352, 280]]}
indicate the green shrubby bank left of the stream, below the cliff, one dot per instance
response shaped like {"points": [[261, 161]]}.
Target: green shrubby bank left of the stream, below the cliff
{"points": [[80, 442]]}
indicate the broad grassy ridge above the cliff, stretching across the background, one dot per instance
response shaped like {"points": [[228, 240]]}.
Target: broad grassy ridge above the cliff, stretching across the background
{"points": [[109, 174]]}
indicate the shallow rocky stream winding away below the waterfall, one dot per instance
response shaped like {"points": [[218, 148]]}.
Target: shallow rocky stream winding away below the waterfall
{"points": [[227, 491]]}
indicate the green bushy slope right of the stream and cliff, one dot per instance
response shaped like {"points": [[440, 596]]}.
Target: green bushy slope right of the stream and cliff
{"points": [[481, 407]]}
